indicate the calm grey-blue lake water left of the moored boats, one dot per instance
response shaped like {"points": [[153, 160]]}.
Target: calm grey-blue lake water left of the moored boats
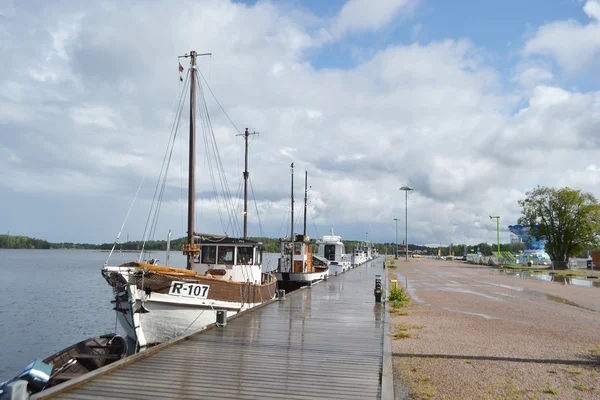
{"points": [[50, 299]]}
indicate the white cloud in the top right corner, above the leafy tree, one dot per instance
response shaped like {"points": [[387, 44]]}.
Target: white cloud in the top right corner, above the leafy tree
{"points": [[572, 44]]}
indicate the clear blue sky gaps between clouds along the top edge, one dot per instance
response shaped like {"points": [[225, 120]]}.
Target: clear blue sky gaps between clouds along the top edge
{"points": [[499, 27]]}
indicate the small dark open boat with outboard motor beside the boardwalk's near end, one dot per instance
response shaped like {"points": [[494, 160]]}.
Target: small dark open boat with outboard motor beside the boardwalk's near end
{"points": [[71, 362]]}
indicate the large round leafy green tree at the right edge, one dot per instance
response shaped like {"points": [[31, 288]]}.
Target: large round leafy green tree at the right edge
{"points": [[567, 218]]}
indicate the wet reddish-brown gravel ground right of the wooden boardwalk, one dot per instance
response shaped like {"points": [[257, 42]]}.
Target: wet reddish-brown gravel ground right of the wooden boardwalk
{"points": [[483, 333]]}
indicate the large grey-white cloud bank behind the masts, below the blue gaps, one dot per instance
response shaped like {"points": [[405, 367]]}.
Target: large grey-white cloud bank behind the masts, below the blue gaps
{"points": [[94, 117]]}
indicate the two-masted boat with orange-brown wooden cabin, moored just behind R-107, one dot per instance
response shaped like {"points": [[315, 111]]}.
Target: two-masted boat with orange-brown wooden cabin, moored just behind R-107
{"points": [[298, 266]]}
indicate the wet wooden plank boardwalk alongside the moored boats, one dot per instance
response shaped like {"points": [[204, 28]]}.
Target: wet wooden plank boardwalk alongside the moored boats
{"points": [[324, 342]]}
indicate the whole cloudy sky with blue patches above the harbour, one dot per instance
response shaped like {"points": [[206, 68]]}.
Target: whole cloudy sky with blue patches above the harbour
{"points": [[471, 103]]}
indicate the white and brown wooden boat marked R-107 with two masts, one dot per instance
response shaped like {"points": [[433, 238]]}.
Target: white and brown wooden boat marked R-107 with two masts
{"points": [[156, 303]]}
